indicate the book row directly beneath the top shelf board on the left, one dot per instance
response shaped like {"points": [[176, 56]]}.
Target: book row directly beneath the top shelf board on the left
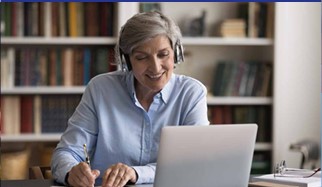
{"points": [[54, 66]]}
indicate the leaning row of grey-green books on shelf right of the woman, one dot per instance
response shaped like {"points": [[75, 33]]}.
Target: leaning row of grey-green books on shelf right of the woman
{"points": [[242, 79]]}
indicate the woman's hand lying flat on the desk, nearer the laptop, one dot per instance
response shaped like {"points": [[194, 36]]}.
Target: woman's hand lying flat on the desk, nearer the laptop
{"points": [[118, 175]]}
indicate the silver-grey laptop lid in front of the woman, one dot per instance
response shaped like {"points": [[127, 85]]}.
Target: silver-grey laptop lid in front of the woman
{"points": [[203, 156]]}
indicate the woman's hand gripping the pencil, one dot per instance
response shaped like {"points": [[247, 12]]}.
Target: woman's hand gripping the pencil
{"points": [[81, 175]]}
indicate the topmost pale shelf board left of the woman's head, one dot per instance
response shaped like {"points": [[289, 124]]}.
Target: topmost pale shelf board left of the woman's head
{"points": [[58, 41]]}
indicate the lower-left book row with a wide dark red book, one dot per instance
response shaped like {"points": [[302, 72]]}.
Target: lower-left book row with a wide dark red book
{"points": [[36, 114]]}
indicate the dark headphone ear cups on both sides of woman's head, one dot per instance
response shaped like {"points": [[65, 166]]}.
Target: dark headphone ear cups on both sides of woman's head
{"points": [[178, 57]]}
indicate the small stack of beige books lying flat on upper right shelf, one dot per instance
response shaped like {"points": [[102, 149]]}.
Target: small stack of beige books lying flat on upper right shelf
{"points": [[233, 28]]}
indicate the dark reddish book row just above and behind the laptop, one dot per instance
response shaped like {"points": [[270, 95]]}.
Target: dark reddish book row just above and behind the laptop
{"points": [[261, 115]]}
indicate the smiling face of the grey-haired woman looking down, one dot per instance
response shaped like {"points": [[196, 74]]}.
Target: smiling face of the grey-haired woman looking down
{"points": [[153, 64]]}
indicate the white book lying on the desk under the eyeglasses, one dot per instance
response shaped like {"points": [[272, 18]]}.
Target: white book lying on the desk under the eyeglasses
{"points": [[294, 178]]}
